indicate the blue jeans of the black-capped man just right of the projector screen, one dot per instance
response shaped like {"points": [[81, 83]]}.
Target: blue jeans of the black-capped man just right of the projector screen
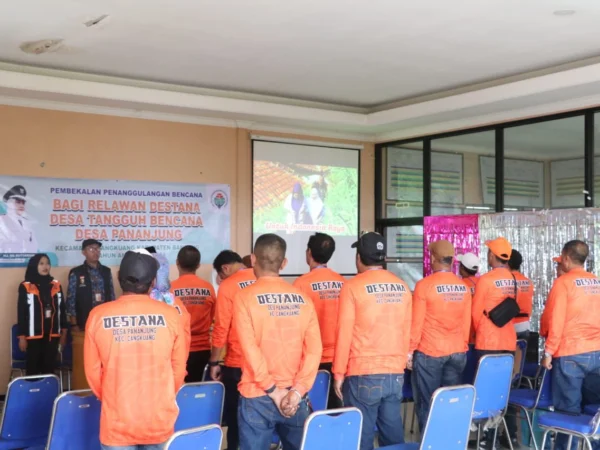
{"points": [[379, 398]]}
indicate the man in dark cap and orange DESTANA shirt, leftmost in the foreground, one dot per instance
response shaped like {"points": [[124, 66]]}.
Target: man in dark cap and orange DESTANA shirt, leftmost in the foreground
{"points": [[134, 355]]}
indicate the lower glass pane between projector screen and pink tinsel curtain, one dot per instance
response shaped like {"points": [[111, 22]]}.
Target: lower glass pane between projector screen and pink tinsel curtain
{"points": [[405, 252]]}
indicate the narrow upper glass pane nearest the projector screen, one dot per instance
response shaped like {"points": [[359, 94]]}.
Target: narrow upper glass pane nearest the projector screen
{"points": [[403, 182]]}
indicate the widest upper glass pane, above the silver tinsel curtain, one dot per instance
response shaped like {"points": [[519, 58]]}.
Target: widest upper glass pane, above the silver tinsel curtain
{"points": [[544, 165]]}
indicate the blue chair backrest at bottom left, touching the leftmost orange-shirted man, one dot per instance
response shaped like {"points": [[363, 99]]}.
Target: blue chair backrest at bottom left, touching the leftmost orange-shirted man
{"points": [[75, 422]]}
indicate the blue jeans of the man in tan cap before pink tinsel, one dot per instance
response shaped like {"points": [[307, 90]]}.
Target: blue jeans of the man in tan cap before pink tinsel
{"points": [[431, 373]]}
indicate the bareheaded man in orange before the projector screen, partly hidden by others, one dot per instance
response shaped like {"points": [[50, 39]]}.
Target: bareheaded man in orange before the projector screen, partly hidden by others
{"points": [[323, 286]]}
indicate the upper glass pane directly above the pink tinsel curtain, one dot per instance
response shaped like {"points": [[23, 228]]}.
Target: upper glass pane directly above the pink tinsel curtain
{"points": [[463, 174]]}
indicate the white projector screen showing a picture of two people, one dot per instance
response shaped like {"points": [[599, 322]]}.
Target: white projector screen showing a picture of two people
{"points": [[301, 189]]}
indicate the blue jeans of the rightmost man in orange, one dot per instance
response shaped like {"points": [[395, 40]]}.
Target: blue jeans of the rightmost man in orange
{"points": [[568, 375]]}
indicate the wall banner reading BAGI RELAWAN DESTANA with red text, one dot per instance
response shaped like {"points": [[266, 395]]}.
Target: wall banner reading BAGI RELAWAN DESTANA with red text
{"points": [[54, 216]]}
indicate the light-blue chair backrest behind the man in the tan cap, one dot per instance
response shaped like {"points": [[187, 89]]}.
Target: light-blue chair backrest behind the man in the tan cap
{"points": [[449, 421]]}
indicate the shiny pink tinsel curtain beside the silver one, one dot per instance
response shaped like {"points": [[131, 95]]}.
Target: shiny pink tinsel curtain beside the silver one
{"points": [[462, 231]]}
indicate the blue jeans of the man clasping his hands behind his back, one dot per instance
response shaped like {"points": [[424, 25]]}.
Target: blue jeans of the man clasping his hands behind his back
{"points": [[258, 418]]}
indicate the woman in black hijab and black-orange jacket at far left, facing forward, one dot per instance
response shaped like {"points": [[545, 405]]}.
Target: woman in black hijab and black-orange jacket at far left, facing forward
{"points": [[42, 317]]}
